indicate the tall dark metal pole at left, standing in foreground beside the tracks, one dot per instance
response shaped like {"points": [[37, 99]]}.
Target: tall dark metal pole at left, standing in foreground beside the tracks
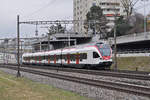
{"points": [[18, 40]]}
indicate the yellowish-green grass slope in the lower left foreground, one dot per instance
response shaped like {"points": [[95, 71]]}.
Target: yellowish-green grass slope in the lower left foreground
{"points": [[12, 88]]}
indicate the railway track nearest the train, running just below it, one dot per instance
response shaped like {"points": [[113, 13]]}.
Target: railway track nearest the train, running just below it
{"points": [[119, 74]]}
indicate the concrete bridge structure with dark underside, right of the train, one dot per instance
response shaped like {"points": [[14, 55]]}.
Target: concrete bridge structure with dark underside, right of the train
{"points": [[133, 43]]}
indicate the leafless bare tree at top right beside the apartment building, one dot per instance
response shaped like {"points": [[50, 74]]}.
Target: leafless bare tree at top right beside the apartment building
{"points": [[129, 5]]}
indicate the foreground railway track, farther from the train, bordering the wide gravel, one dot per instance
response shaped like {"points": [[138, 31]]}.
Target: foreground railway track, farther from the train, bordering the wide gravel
{"points": [[128, 88]]}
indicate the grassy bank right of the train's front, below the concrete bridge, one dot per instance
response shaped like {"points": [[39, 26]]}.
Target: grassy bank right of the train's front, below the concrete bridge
{"points": [[131, 63]]}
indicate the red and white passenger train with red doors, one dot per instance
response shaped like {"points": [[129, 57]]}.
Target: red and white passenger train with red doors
{"points": [[94, 55]]}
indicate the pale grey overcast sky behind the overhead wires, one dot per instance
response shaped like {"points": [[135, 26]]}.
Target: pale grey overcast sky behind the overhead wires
{"points": [[34, 10]]}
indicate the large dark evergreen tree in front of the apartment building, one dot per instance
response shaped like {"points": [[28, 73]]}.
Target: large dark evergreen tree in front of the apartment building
{"points": [[96, 21]]}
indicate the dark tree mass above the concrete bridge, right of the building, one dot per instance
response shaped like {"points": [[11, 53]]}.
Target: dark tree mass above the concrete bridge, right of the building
{"points": [[133, 24]]}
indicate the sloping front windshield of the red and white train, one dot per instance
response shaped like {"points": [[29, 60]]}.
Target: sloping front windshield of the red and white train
{"points": [[104, 49]]}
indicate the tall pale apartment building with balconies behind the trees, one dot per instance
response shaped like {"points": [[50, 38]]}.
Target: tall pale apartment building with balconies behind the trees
{"points": [[109, 7]]}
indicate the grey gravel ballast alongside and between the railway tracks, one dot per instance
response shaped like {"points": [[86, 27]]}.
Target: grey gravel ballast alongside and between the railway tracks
{"points": [[96, 93]]}
